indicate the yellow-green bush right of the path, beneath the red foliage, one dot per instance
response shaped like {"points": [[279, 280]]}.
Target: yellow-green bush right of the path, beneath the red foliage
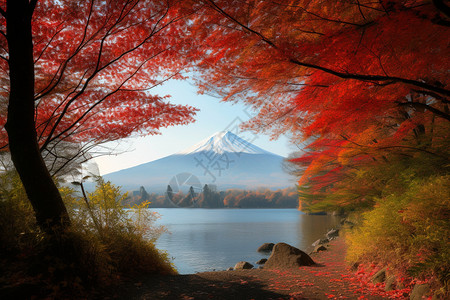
{"points": [[408, 231]]}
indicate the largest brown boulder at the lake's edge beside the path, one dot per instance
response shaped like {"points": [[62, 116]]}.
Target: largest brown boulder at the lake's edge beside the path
{"points": [[285, 256]]}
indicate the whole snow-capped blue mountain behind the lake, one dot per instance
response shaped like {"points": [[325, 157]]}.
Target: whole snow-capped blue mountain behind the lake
{"points": [[223, 160]]}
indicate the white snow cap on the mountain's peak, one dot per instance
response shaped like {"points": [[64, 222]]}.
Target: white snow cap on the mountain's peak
{"points": [[224, 141]]}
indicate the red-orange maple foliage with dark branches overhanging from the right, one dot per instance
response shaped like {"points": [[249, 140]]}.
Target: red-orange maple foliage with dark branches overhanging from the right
{"points": [[354, 79]]}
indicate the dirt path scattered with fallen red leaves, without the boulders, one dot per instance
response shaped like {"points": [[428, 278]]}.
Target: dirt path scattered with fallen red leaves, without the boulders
{"points": [[330, 279]]}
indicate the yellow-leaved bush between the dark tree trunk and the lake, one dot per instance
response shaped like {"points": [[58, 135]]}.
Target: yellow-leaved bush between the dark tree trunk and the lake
{"points": [[125, 236]]}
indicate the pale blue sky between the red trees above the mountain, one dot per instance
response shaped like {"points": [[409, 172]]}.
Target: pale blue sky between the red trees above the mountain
{"points": [[213, 116]]}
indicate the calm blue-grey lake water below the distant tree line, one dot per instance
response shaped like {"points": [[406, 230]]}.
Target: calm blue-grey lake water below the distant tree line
{"points": [[216, 239]]}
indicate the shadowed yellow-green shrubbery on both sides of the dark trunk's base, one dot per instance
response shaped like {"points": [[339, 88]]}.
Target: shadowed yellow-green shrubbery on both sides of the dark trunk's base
{"points": [[120, 242]]}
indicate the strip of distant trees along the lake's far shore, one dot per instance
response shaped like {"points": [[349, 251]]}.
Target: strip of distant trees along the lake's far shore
{"points": [[210, 198]]}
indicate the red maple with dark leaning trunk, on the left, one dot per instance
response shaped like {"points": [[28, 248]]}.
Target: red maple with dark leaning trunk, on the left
{"points": [[81, 73]]}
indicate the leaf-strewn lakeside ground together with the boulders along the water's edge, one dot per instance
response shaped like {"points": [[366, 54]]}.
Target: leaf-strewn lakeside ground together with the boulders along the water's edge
{"points": [[327, 277]]}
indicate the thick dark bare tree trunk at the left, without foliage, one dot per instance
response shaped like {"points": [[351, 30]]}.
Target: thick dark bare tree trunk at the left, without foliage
{"points": [[51, 214]]}
